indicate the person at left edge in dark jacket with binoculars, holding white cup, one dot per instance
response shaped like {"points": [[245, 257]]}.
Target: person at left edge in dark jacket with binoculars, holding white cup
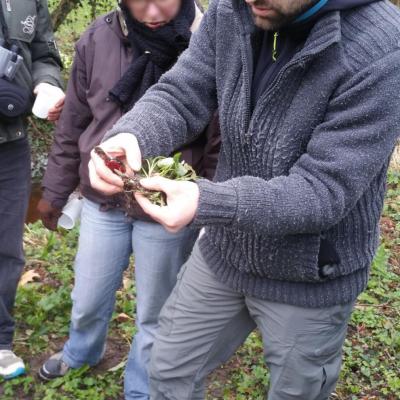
{"points": [[25, 30]]}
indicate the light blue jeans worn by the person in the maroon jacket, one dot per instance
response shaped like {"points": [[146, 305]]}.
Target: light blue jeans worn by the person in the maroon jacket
{"points": [[106, 242]]}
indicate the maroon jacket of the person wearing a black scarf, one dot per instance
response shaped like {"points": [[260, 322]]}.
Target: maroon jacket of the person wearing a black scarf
{"points": [[102, 56]]}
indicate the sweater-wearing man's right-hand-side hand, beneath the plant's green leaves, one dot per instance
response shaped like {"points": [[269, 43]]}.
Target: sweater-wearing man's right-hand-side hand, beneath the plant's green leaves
{"points": [[182, 202]]}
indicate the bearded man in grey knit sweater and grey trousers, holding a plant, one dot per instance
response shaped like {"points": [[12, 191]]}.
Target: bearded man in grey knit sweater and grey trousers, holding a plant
{"points": [[308, 96]]}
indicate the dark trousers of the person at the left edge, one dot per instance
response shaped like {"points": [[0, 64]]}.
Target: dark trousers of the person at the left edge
{"points": [[15, 178]]}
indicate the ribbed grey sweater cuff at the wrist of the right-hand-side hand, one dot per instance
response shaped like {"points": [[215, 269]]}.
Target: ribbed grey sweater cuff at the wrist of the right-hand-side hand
{"points": [[217, 203]]}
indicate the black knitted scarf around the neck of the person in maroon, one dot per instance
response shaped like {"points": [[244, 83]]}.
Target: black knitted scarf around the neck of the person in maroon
{"points": [[158, 49]]}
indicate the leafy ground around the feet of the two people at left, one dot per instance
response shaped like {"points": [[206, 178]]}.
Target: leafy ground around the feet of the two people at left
{"points": [[42, 312]]}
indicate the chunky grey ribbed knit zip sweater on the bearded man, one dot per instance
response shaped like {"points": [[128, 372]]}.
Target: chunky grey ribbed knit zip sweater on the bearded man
{"points": [[309, 163]]}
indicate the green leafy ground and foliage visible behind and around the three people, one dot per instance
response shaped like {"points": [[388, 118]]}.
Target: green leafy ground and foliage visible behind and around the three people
{"points": [[371, 368]]}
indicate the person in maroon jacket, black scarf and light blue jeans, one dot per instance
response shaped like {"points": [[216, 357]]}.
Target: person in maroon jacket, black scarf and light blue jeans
{"points": [[117, 59]]}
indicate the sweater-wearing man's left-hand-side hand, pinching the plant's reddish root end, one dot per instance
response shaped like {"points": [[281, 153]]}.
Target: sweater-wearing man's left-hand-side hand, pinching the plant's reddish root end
{"points": [[125, 147]]}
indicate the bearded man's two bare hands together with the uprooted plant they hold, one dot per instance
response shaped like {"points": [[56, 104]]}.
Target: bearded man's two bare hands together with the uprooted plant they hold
{"points": [[162, 186]]}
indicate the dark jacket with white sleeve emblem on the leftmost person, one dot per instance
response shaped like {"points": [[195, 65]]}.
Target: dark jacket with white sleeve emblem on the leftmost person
{"points": [[29, 27]]}
